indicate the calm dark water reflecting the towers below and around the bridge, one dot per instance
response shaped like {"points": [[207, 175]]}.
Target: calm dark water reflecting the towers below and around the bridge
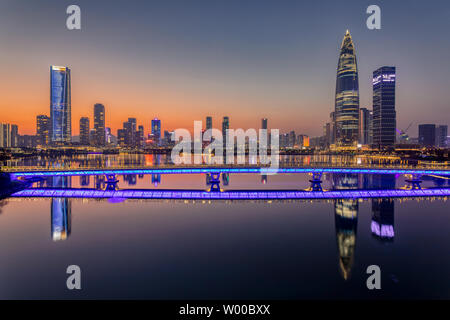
{"points": [[168, 249]]}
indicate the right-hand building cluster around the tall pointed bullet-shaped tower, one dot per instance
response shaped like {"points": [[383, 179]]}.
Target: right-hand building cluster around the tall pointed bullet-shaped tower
{"points": [[352, 127]]}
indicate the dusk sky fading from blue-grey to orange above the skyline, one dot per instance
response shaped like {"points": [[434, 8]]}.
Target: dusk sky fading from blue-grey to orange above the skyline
{"points": [[183, 60]]}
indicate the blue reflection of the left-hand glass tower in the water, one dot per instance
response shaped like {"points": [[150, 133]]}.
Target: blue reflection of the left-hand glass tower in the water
{"points": [[61, 211]]}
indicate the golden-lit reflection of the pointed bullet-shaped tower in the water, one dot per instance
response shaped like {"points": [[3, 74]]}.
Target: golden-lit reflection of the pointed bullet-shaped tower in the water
{"points": [[346, 222]]}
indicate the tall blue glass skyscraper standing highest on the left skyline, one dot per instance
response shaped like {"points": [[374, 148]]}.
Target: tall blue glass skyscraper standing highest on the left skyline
{"points": [[60, 105]]}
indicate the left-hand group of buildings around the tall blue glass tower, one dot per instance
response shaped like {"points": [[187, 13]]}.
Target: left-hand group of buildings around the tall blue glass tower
{"points": [[56, 129]]}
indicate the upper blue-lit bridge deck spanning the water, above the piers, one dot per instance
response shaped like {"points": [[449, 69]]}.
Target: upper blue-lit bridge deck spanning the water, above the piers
{"points": [[203, 170]]}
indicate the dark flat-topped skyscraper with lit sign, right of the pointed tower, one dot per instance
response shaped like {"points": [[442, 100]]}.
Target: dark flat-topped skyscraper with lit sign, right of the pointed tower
{"points": [[384, 116]]}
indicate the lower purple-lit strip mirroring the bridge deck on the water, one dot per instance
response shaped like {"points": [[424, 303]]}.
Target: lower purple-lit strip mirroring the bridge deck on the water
{"points": [[230, 195]]}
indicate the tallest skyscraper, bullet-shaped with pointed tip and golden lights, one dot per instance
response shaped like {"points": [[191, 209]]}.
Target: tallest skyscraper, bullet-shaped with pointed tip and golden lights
{"points": [[347, 95]]}
